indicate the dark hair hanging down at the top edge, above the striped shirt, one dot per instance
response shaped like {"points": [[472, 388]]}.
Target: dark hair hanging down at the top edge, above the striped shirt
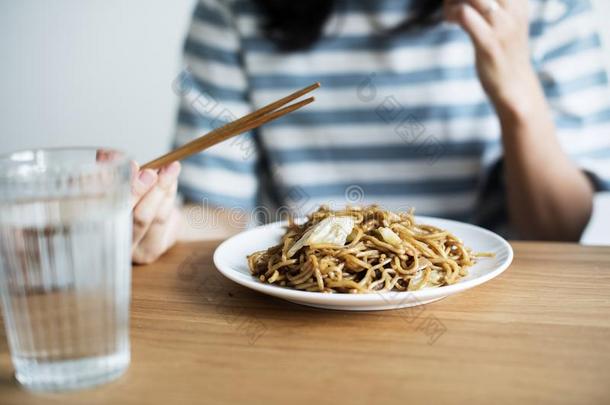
{"points": [[297, 25]]}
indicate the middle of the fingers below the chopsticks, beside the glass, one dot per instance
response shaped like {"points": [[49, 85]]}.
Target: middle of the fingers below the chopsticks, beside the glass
{"points": [[148, 209]]}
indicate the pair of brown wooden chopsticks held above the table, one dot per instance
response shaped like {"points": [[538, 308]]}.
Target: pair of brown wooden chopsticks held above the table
{"points": [[246, 123]]}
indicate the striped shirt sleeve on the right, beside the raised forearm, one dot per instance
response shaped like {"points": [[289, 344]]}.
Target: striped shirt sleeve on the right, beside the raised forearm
{"points": [[569, 60]]}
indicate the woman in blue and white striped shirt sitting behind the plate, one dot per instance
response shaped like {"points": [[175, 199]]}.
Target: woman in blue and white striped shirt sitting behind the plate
{"points": [[497, 115]]}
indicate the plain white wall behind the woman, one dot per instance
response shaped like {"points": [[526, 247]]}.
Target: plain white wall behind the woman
{"points": [[99, 73]]}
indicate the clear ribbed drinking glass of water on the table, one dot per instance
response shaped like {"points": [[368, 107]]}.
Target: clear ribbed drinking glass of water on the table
{"points": [[65, 266]]}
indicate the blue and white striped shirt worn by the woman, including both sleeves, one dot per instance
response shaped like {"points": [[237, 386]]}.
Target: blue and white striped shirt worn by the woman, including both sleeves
{"points": [[400, 120]]}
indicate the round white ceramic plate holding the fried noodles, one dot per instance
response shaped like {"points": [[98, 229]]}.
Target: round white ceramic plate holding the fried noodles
{"points": [[230, 259]]}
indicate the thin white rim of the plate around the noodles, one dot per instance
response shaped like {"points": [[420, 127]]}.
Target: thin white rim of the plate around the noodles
{"points": [[385, 296]]}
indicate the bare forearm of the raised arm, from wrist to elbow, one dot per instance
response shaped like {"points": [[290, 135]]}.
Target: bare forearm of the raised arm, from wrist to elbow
{"points": [[549, 197]]}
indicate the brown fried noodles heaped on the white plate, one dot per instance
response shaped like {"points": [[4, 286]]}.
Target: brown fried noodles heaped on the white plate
{"points": [[422, 256]]}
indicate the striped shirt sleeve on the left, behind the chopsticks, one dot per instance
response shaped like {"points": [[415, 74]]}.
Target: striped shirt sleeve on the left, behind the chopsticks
{"points": [[213, 91]]}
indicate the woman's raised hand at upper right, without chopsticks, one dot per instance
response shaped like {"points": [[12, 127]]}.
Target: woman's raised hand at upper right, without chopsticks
{"points": [[499, 30]]}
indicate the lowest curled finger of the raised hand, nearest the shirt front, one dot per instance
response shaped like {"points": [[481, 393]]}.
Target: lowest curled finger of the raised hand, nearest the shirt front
{"points": [[475, 25]]}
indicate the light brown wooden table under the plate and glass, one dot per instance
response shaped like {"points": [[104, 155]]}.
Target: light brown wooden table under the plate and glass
{"points": [[540, 333]]}
